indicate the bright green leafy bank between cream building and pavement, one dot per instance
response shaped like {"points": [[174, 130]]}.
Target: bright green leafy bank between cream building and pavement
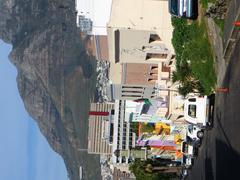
{"points": [[192, 45]]}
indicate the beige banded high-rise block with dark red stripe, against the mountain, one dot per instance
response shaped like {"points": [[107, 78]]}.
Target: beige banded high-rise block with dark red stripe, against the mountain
{"points": [[100, 129]]}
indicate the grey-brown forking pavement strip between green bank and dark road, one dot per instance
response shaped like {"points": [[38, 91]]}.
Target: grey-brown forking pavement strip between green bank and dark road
{"points": [[223, 47]]}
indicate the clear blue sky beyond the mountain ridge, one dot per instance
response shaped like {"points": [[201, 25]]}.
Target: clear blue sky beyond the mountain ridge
{"points": [[24, 152]]}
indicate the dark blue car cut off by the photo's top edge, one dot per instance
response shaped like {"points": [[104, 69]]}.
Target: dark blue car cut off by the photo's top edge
{"points": [[183, 8]]}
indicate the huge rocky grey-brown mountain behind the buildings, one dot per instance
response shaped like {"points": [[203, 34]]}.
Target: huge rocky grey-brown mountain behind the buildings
{"points": [[56, 78]]}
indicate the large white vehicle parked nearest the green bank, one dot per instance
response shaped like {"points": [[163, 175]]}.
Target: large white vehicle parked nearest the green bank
{"points": [[199, 111]]}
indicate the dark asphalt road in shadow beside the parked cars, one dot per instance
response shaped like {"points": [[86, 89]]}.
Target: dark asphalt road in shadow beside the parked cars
{"points": [[219, 156]]}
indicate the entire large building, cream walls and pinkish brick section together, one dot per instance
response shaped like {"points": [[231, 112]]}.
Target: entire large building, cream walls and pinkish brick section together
{"points": [[139, 39]]}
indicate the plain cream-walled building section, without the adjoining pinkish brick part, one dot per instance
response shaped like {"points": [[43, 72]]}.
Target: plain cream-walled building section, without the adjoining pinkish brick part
{"points": [[140, 31]]}
